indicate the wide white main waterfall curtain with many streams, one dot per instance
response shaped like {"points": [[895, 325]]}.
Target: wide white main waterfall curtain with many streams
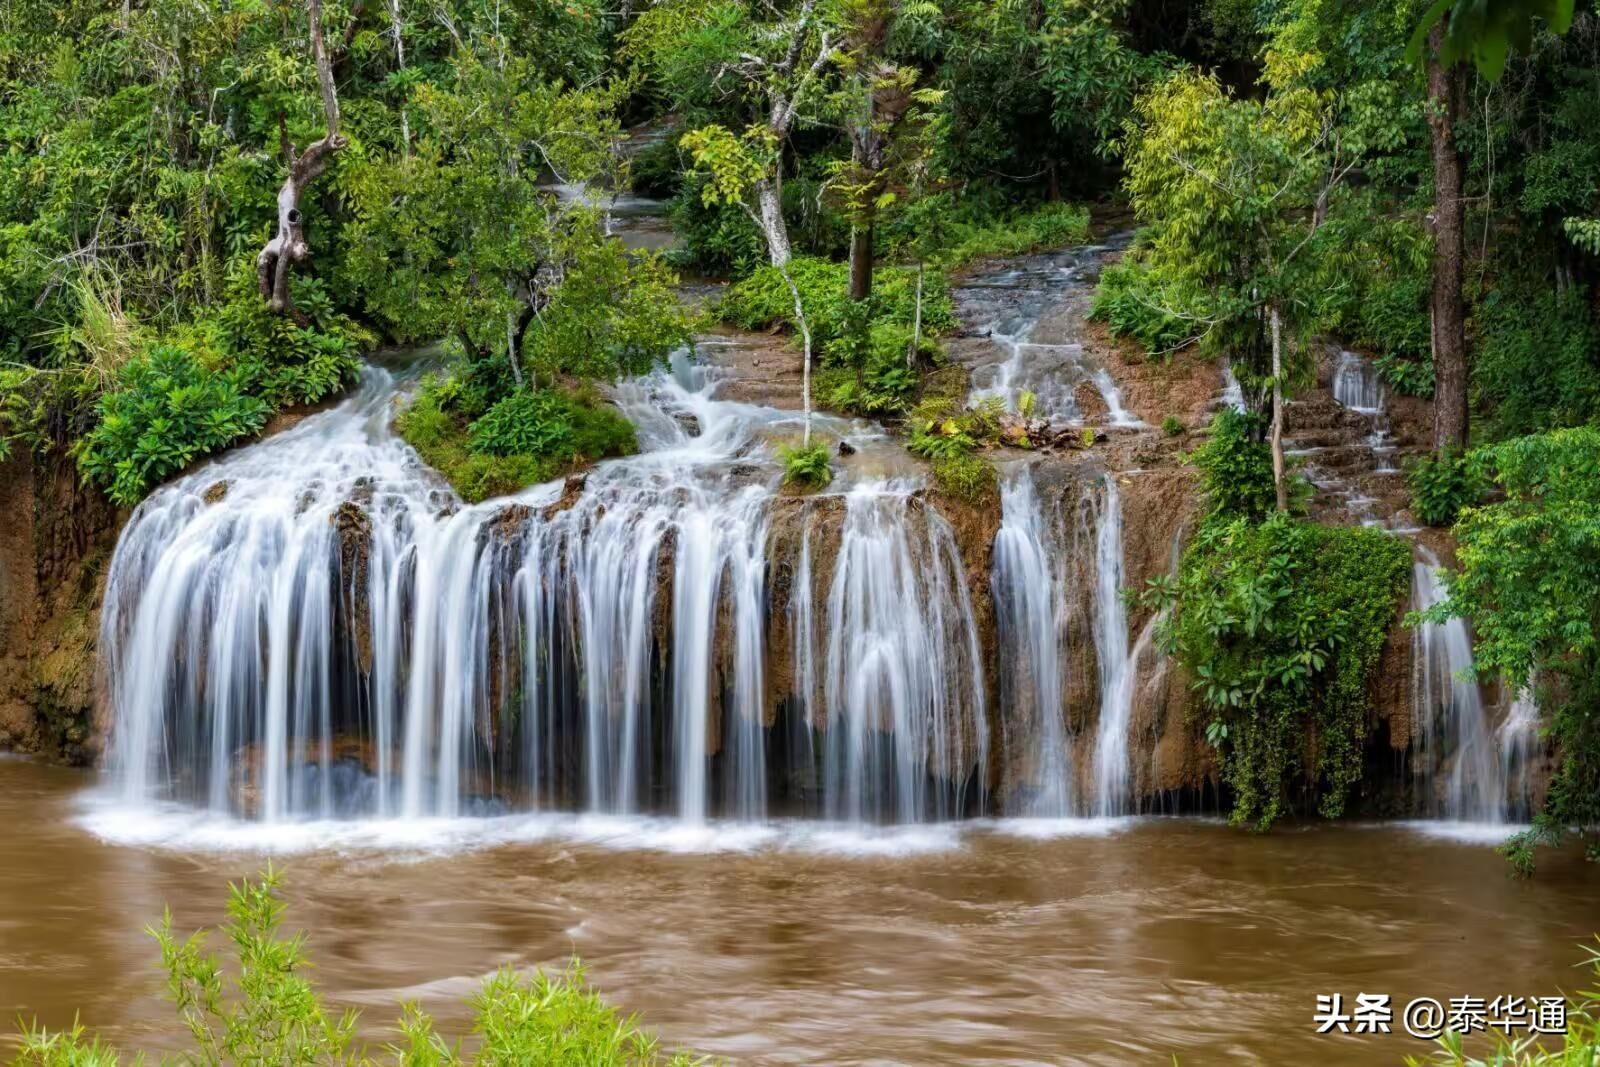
{"points": [[316, 628]]}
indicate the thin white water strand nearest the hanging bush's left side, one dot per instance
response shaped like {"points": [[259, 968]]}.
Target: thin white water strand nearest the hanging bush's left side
{"points": [[1116, 665]]}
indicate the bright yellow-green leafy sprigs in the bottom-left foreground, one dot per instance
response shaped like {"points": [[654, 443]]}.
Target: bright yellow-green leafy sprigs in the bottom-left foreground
{"points": [[273, 1013]]}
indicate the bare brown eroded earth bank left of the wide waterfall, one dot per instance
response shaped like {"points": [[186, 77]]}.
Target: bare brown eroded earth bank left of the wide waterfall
{"points": [[55, 543]]}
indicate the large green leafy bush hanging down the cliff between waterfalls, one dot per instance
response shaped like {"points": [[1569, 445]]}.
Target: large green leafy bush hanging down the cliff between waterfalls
{"points": [[1282, 623]]}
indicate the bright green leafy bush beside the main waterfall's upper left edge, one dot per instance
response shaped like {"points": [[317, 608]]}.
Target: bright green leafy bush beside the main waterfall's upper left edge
{"points": [[166, 412]]}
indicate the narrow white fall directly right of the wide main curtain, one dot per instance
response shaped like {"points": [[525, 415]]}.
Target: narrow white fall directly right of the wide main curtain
{"points": [[1028, 602]]}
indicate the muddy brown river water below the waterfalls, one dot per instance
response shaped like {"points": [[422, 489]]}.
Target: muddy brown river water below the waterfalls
{"points": [[1166, 937]]}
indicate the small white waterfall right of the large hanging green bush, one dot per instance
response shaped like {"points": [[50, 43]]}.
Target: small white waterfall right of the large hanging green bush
{"points": [[1452, 721]]}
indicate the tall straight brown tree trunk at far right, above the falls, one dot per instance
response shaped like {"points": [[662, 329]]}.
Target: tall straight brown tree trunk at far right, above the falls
{"points": [[1449, 342]]}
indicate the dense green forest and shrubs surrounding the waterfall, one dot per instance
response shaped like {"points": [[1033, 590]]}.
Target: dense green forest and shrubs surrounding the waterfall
{"points": [[214, 209]]}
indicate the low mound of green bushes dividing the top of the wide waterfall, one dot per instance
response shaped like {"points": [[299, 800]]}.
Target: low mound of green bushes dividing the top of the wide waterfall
{"points": [[521, 441]]}
